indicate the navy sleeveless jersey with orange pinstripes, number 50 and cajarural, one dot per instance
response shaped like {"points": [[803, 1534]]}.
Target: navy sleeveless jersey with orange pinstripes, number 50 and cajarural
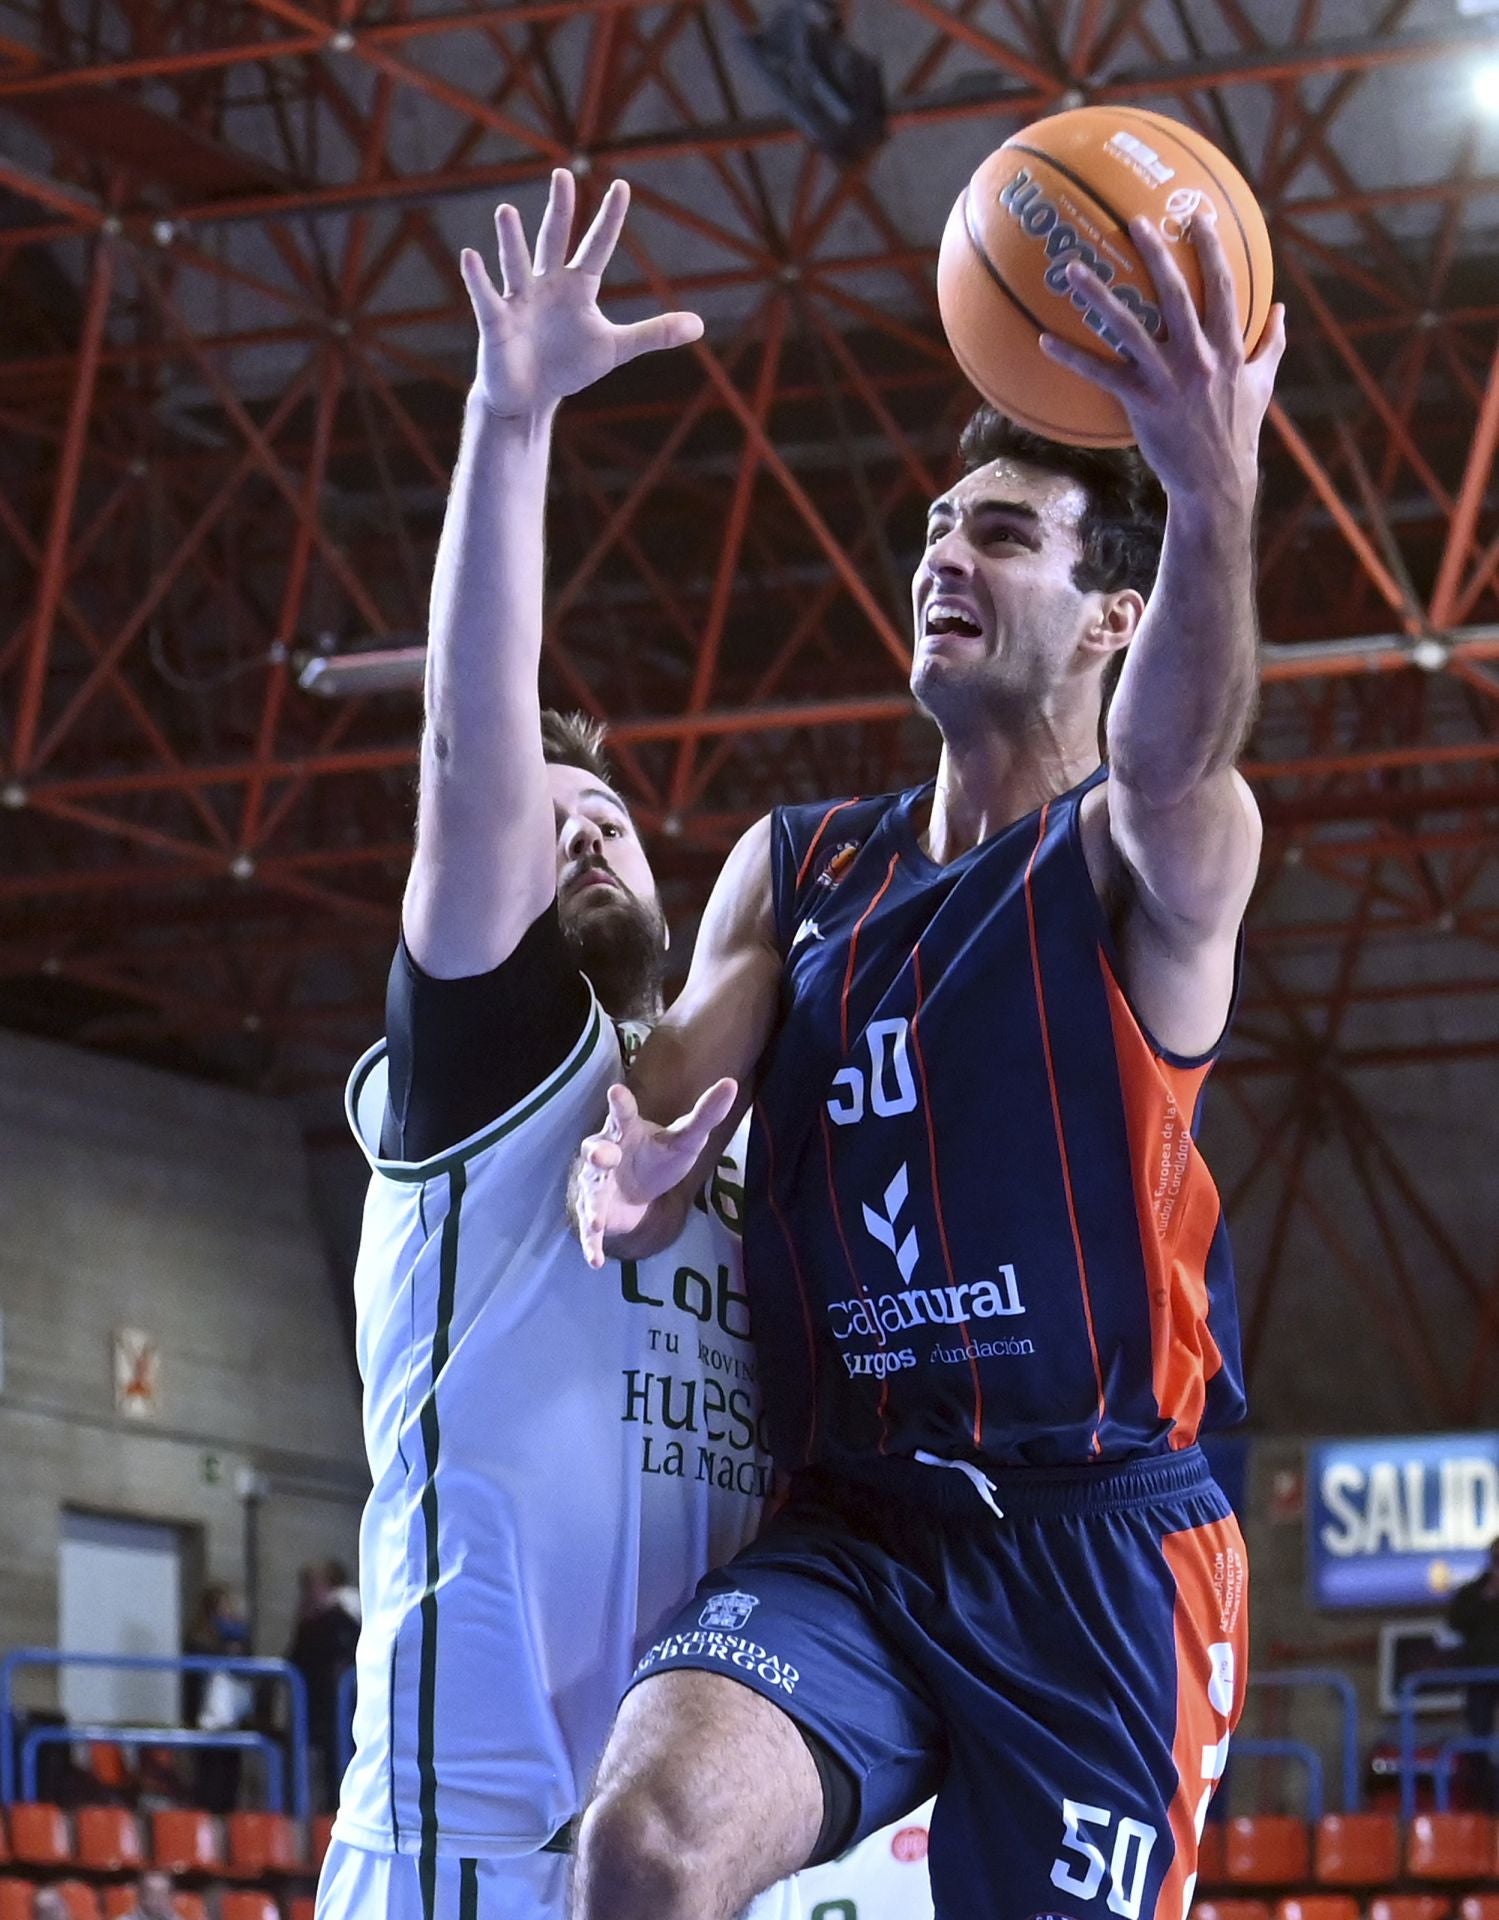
{"points": [[980, 1224]]}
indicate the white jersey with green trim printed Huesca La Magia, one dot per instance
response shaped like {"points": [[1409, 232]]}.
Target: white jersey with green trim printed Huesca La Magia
{"points": [[558, 1456]]}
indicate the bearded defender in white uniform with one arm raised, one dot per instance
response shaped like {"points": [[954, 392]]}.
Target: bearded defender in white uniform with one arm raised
{"points": [[558, 1454]]}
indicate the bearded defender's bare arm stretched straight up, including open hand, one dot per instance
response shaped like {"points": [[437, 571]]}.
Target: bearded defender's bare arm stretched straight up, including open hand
{"points": [[487, 840]]}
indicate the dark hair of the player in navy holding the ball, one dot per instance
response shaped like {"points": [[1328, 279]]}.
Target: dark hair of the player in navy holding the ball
{"points": [[1122, 527]]}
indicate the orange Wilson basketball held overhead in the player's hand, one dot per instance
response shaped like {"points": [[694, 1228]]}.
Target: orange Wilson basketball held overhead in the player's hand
{"points": [[1066, 189]]}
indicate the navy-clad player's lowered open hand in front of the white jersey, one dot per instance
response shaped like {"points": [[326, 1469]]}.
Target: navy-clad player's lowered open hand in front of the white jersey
{"points": [[634, 1163]]}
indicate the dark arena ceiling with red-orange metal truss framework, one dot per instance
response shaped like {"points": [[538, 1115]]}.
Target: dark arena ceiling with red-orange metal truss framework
{"points": [[233, 348]]}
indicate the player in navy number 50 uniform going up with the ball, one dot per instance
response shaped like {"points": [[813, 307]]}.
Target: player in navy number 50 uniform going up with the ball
{"points": [[987, 1264]]}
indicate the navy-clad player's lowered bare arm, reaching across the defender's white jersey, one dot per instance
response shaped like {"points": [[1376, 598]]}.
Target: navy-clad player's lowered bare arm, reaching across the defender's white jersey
{"points": [[694, 1078]]}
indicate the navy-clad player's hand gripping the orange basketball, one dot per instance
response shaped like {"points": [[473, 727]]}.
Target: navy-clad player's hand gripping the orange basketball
{"points": [[1195, 398]]}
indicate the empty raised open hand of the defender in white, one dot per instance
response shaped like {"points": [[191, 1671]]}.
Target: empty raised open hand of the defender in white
{"points": [[544, 337]]}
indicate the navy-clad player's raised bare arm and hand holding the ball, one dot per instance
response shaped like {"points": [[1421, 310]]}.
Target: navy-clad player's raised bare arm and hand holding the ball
{"points": [[1176, 821]]}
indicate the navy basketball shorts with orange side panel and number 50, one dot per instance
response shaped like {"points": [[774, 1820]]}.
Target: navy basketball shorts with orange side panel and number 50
{"points": [[1059, 1654]]}
